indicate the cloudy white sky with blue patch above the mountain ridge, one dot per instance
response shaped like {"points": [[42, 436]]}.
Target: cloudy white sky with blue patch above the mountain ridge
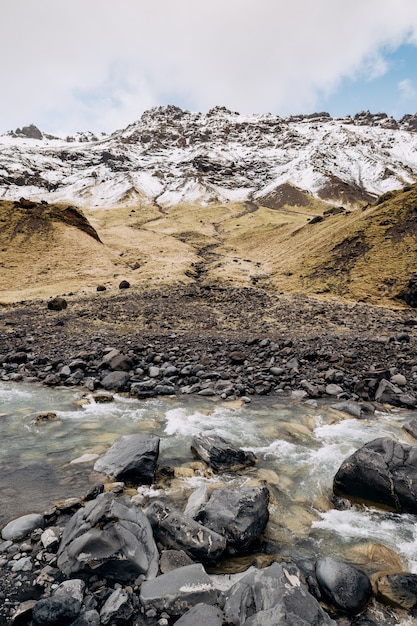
{"points": [[69, 65]]}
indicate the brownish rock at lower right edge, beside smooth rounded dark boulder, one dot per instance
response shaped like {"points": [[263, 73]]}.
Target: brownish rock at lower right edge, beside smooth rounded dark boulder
{"points": [[397, 589]]}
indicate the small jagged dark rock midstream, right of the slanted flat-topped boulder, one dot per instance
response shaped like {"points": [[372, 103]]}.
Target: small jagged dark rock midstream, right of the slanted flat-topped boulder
{"points": [[219, 454]]}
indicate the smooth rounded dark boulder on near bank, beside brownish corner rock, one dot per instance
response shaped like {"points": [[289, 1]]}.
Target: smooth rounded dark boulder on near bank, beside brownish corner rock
{"points": [[345, 587]]}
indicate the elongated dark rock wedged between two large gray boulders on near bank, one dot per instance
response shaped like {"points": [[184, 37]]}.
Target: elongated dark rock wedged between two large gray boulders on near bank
{"points": [[175, 530]]}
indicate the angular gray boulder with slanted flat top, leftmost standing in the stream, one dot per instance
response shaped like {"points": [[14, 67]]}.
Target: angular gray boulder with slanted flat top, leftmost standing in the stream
{"points": [[131, 458]]}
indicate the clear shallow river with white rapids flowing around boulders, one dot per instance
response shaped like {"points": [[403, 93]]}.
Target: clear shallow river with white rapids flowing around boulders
{"points": [[299, 447]]}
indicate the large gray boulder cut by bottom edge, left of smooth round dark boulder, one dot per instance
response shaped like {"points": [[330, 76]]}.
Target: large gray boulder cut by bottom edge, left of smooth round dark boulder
{"points": [[274, 596]]}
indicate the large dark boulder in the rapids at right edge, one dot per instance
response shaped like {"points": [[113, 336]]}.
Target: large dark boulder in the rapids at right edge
{"points": [[383, 472]]}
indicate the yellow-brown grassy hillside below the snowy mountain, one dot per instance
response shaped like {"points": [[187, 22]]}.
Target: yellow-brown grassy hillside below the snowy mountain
{"points": [[365, 254]]}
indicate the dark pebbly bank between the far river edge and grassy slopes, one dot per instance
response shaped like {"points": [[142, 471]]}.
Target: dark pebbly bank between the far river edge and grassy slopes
{"points": [[228, 342]]}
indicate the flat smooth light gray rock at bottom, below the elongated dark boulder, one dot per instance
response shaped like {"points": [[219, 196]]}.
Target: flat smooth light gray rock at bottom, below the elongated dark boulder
{"points": [[179, 590]]}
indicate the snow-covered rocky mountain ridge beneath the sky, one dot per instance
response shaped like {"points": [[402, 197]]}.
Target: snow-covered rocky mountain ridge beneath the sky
{"points": [[172, 156]]}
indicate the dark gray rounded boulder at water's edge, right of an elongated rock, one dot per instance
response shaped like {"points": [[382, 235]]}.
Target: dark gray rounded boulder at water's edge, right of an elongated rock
{"points": [[240, 515]]}
